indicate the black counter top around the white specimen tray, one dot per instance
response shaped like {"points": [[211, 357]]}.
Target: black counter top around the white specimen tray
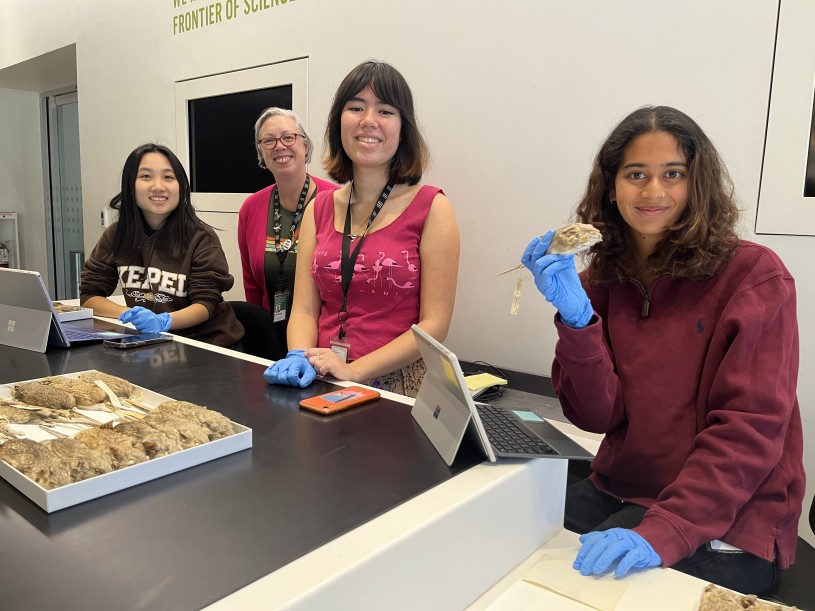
{"points": [[190, 538]]}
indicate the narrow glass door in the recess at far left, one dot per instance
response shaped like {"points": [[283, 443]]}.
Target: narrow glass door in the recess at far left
{"points": [[63, 201]]}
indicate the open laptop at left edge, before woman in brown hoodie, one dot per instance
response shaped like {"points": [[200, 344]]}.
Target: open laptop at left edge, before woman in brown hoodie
{"points": [[28, 319]]}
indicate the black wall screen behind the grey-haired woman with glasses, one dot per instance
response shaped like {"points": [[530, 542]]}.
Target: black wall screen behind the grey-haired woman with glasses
{"points": [[223, 158]]}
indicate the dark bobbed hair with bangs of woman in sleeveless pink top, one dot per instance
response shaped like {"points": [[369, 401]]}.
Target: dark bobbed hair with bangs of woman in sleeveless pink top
{"points": [[412, 156]]}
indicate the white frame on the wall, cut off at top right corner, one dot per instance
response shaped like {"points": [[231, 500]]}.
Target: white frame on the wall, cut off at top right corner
{"points": [[786, 201]]}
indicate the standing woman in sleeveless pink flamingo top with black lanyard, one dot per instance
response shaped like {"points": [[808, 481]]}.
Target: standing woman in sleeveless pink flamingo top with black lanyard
{"points": [[383, 250]]}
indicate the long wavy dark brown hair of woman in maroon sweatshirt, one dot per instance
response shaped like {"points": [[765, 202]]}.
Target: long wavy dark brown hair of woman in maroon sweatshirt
{"points": [[701, 240]]}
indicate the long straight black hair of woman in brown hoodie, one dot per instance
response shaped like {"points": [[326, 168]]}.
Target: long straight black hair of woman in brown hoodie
{"points": [[180, 225]]}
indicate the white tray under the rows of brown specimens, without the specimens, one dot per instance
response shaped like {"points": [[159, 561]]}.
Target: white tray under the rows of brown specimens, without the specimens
{"points": [[100, 485]]}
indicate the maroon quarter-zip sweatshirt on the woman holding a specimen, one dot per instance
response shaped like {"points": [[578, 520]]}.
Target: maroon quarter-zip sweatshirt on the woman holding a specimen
{"points": [[697, 400]]}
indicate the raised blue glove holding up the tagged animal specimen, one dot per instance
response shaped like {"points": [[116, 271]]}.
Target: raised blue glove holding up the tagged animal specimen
{"points": [[556, 277]]}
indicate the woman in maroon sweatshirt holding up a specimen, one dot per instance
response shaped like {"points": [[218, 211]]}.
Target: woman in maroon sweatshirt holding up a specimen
{"points": [[678, 342]]}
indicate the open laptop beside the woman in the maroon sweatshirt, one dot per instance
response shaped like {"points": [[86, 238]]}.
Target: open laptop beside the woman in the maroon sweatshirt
{"points": [[445, 411]]}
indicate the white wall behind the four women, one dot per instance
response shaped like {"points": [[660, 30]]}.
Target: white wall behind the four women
{"points": [[514, 97]]}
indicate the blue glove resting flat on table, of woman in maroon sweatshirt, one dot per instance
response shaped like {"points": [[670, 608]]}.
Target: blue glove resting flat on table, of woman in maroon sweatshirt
{"points": [[601, 548]]}
